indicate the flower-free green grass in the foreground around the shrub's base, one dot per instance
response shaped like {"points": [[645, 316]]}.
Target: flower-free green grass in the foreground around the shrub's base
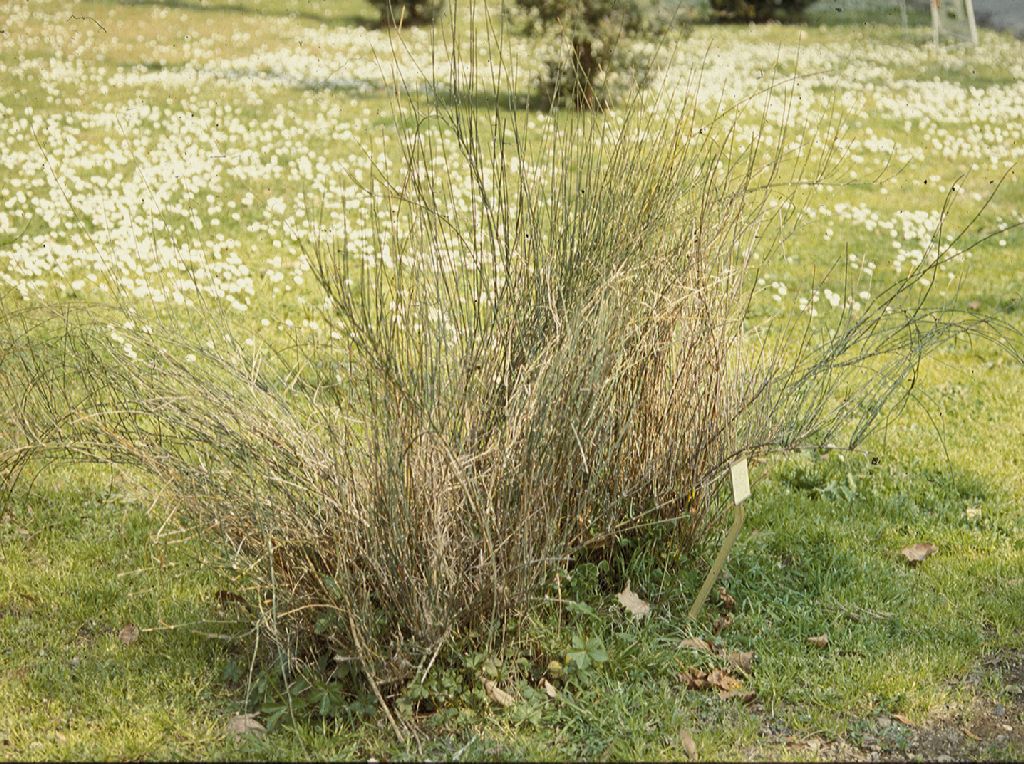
{"points": [[79, 565]]}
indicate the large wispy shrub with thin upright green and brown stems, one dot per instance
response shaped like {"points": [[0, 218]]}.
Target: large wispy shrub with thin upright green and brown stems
{"points": [[558, 356]]}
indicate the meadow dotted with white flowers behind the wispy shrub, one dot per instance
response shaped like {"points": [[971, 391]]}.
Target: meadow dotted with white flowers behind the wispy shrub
{"points": [[156, 154]]}
